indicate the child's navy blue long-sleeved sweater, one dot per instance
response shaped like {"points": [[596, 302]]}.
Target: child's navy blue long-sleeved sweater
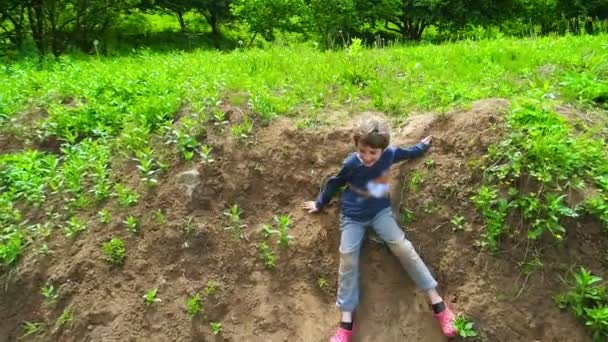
{"points": [[357, 202]]}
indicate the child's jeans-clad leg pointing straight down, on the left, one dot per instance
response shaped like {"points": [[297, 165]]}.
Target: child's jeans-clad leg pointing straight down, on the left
{"points": [[348, 273]]}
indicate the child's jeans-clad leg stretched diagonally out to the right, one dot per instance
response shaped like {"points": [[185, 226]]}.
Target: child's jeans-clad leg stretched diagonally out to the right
{"points": [[386, 227]]}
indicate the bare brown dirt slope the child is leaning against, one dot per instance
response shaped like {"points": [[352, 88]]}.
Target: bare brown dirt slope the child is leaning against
{"points": [[273, 175]]}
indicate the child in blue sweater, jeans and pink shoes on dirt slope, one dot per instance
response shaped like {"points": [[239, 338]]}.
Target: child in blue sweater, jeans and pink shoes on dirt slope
{"points": [[365, 202]]}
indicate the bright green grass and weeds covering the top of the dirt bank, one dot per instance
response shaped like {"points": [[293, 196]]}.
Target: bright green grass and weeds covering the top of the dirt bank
{"points": [[104, 111]]}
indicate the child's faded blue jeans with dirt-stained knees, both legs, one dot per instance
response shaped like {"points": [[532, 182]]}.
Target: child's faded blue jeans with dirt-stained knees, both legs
{"points": [[350, 245]]}
